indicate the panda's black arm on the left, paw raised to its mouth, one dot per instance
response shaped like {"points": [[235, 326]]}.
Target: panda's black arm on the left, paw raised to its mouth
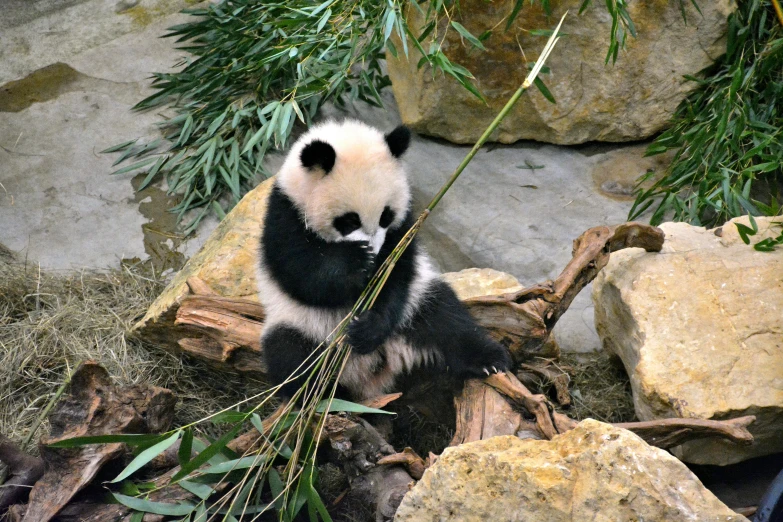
{"points": [[313, 271]]}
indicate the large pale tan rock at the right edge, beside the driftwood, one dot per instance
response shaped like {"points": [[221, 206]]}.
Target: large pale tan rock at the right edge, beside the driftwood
{"points": [[698, 328]]}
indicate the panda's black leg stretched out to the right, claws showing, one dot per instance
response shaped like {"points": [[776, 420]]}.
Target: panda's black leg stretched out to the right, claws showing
{"points": [[444, 322]]}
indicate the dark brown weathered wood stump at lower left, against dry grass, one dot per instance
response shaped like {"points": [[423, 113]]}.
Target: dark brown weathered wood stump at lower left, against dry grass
{"points": [[94, 406]]}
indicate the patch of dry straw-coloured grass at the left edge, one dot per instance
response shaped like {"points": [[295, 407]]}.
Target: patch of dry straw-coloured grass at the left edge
{"points": [[51, 322]]}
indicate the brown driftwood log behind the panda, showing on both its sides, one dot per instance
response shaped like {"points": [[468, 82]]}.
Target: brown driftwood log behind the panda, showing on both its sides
{"points": [[225, 331]]}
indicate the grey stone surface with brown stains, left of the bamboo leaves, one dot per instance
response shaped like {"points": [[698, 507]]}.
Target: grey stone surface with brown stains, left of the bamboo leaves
{"points": [[58, 204]]}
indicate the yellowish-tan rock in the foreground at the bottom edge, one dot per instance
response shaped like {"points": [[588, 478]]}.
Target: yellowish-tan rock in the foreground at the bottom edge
{"points": [[593, 472]]}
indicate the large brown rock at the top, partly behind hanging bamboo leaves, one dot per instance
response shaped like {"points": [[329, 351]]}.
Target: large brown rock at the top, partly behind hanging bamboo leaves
{"points": [[631, 100]]}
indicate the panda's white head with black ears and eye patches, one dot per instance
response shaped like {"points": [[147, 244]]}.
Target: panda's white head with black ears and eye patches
{"points": [[347, 181]]}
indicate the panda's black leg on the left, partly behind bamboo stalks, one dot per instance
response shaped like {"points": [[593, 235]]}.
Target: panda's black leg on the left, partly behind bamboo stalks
{"points": [[285, 349]]}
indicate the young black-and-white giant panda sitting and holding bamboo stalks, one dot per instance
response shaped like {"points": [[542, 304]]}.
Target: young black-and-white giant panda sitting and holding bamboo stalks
{"points": [[340, 204]]}
